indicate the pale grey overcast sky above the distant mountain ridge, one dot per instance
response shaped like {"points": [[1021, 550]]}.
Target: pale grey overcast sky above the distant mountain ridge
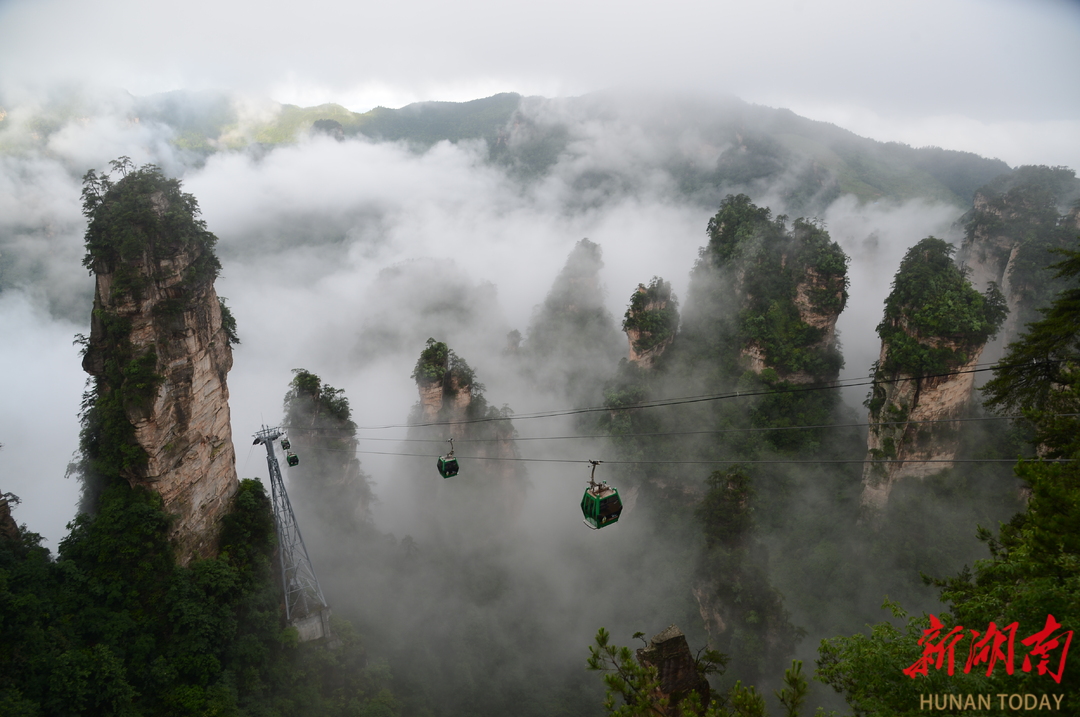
{"points": [[996, 77]]}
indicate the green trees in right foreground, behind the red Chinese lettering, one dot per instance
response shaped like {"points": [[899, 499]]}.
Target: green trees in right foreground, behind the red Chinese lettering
{"points": [[1034, 570]]}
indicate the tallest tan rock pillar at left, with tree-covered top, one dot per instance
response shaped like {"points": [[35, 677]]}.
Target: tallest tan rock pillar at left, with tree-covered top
{"points": [[160, 348]]}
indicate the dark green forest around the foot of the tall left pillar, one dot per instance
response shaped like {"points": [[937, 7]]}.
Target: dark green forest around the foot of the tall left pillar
{"points": [[115, 627]]}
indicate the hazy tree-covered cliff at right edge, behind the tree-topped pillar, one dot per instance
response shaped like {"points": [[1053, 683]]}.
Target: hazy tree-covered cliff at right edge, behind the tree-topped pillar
{"points": [[1012, 224]]}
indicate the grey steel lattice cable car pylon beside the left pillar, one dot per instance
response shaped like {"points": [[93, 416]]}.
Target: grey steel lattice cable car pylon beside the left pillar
{"points": [[306, 608]]}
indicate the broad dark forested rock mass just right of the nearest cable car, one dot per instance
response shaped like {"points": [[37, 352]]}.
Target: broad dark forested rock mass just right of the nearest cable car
{"points": [[749, 287]]}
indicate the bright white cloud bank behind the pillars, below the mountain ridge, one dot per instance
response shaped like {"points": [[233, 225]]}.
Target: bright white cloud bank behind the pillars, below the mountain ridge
{"points": [[345, 258]]}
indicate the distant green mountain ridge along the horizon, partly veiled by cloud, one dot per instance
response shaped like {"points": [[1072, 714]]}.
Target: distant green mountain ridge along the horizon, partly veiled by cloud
{"points": [[708, 148]]}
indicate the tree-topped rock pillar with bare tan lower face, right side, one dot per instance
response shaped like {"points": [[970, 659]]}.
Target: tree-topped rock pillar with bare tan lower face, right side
{"points": [[935, 329]]}
